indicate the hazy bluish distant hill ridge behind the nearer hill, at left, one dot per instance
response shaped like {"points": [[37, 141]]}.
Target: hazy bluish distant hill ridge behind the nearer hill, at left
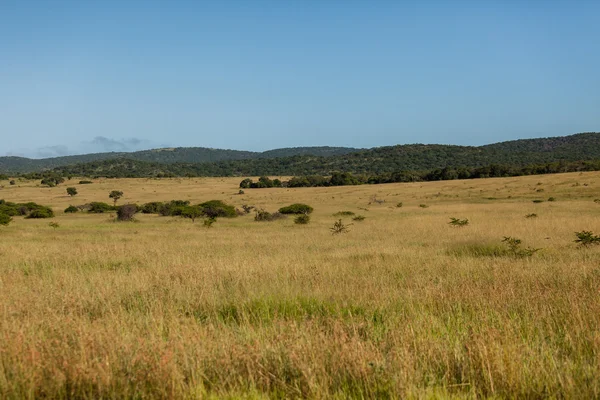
{"points": [[165, 156]]}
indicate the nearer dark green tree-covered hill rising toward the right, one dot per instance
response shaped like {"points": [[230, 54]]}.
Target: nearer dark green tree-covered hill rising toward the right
{"points": [[381, 160]]}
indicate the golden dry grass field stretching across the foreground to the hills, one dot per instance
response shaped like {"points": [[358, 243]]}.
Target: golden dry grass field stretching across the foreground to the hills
{"points": [[402, 306]]}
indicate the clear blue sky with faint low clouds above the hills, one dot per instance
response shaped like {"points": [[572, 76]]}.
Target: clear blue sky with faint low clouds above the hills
{"points": [[82, 76]]}
